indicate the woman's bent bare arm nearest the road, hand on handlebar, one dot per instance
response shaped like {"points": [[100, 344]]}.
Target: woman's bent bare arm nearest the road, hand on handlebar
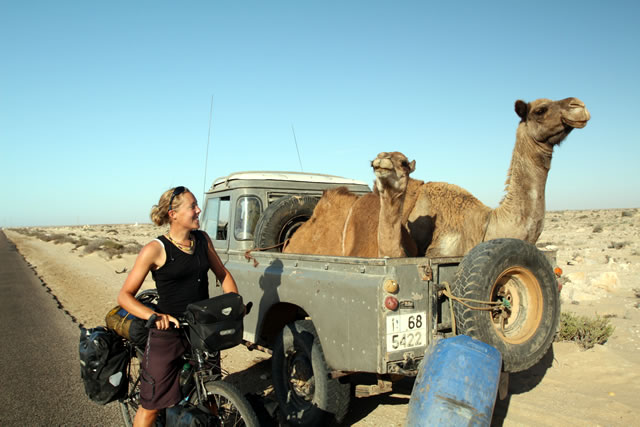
{"points": [[149, 257]]}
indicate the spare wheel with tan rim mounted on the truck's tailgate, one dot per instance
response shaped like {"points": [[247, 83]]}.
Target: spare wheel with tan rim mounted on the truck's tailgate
{"points": [[518, 272]]}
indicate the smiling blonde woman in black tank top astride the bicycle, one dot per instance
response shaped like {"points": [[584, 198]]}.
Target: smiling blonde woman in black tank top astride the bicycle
{"points": [[179, 262]]}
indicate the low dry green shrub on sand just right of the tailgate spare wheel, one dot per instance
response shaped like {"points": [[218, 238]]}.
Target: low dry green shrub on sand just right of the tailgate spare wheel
{"points": [[585, 331]]}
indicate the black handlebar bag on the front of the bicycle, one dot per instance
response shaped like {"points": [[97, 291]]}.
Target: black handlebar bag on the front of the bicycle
{"points": [[216, 323]]}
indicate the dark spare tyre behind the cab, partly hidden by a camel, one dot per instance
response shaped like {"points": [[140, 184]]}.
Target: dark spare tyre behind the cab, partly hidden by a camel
{"points": [[281, 219]]}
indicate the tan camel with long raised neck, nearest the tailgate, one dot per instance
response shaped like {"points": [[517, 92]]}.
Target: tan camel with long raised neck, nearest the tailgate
{"points": [[448, 221]]}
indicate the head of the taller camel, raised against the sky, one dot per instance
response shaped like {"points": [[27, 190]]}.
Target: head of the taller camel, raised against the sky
{"points": [[549, 122]]}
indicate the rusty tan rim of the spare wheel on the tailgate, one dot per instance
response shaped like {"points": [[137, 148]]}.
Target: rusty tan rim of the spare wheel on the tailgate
{"points": [[523, 292]]}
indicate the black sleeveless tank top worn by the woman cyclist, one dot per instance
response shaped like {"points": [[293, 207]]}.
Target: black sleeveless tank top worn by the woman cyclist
{"points": [[183, 278]]}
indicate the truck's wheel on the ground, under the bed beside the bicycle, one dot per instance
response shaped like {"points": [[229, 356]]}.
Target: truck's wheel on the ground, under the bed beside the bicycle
{"points": [[306, 394]]}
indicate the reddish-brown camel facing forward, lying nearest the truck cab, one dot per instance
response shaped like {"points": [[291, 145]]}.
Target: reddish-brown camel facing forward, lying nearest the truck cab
{"points": [[364, 226]]}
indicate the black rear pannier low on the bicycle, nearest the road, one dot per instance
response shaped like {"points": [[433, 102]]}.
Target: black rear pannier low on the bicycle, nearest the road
{"points": [[103, 364]]}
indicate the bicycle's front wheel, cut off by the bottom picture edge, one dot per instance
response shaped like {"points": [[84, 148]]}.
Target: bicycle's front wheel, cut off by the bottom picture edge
{"points": [[228, 403]]}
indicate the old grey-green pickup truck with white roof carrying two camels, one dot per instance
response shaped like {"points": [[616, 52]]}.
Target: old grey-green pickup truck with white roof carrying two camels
{"points": [[326, 318]]}
